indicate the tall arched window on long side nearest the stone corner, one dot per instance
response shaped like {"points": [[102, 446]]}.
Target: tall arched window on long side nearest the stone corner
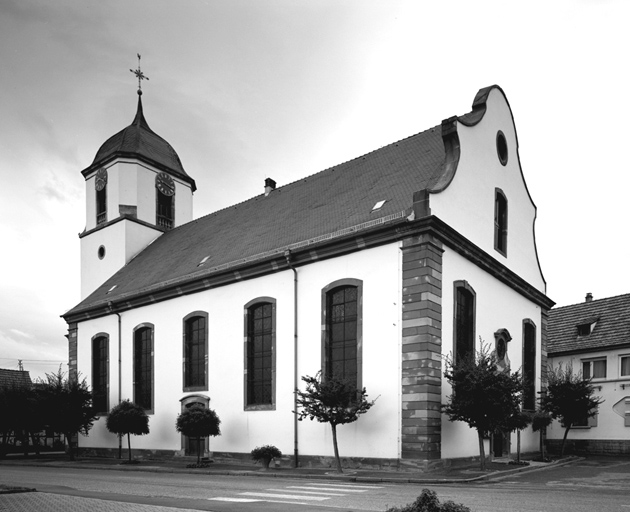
{"points": [[341, 319]]}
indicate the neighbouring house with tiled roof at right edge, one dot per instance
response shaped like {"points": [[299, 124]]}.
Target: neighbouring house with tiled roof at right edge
{"points": [[594, 338]]}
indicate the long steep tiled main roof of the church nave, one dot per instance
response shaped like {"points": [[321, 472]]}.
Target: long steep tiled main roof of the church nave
{"points": [[328, 202]]}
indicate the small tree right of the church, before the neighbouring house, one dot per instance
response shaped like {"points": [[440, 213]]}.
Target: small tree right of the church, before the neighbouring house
{"points": [[569, 398]]}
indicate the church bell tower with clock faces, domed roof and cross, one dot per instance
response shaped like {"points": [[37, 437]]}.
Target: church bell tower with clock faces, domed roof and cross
{"points": [[136, 190]]}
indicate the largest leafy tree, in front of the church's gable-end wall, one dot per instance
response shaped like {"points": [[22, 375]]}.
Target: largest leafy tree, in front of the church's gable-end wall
{"points": [[481, 396]]}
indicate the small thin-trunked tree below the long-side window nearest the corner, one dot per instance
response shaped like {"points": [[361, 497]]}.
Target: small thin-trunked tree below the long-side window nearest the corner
{"points": [[332, 400]]}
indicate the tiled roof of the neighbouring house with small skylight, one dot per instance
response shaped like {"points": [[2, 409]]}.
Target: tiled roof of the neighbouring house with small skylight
{"points": [[611, 317]]}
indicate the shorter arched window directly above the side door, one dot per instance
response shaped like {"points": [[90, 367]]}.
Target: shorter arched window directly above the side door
{"points": [[196, 352]]}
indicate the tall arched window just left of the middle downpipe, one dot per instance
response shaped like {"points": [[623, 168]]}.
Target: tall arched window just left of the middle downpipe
{"points": [[260, 358]]}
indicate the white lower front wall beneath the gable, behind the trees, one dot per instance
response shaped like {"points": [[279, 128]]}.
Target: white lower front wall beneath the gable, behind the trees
{"points": [[497, 307]]}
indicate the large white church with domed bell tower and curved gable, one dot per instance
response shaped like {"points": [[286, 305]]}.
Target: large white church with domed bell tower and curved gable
{"points": [[373, 270]]}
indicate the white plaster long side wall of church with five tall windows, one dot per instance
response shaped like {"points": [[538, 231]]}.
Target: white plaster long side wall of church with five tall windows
{"points": [[376, 434]]}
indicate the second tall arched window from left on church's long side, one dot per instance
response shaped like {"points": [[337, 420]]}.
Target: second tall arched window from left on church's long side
{"points": [[143, 366]]}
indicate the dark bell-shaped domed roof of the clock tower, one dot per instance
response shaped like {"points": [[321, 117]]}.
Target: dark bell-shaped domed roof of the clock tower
{"points": [[139, 141]]}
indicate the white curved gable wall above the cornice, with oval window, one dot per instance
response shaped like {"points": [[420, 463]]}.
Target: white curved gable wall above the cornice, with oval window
{"points": [[467, 204]]}
